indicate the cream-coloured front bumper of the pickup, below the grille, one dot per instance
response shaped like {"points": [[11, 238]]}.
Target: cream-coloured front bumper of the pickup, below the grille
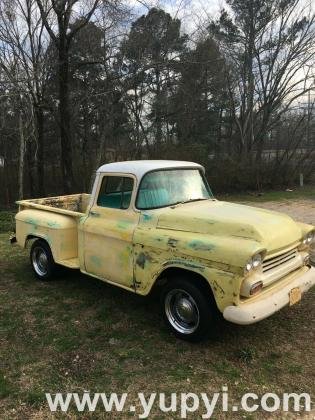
{"points": [[270, 302]]}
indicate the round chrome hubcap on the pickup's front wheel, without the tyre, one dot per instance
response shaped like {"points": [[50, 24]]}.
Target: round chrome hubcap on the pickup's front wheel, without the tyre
{"points": [[182, 311]]}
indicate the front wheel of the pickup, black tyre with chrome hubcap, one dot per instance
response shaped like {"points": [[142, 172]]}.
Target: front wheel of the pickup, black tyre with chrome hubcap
{"points": [[187, 309]]}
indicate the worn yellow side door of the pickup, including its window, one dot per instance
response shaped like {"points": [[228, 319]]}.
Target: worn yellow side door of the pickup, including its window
{"points": [[109, 229]]}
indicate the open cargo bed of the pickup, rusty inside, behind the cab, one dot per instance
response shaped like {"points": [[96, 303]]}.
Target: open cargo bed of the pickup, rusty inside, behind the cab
{"points": [[72, 205]]}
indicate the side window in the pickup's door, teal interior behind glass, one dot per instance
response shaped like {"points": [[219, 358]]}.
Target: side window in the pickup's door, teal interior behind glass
{"points": [[115, 192]]}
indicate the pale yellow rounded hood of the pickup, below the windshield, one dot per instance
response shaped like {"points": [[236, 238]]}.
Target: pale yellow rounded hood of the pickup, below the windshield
{"points": [[271, 229]]}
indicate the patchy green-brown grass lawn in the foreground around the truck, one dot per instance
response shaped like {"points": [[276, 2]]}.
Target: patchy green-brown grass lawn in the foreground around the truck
{"points": [[76, 333]]}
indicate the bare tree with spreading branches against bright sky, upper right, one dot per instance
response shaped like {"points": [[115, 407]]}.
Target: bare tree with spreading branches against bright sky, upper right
{"points": [[268, 47]]}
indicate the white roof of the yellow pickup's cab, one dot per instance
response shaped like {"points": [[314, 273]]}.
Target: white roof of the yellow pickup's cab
{"points": [[141, 167]]}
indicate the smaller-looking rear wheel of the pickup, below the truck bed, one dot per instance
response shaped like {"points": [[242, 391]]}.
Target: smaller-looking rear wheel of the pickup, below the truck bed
{"points": [[42, 260]]}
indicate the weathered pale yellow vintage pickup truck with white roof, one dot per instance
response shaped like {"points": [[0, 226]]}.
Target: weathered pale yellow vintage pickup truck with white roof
{"points": [[155, 224]]}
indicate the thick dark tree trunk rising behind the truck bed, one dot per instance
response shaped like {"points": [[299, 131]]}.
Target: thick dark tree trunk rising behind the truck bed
{"points": [[64, 120]]}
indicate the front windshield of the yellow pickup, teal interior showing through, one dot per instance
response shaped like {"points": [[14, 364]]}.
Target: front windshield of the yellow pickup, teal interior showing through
{"points": [[168, 187]]}
